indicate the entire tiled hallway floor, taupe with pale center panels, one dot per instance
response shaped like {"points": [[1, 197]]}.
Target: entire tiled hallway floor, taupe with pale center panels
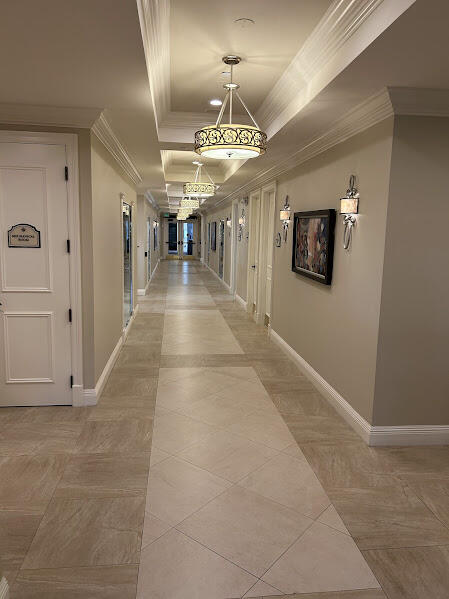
{"points": [[212, 469]]}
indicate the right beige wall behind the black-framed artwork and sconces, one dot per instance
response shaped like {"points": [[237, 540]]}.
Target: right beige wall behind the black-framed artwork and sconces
{"points": [[335, 328]]}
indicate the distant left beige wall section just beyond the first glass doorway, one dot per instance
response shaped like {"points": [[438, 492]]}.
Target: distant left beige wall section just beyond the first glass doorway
{"points": [[145, 212]]}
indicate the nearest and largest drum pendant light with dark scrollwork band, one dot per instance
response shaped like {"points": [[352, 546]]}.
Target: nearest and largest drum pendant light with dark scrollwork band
{"points": [[229, 140]]}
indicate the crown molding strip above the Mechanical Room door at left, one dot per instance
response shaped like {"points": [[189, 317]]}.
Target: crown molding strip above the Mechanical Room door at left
{"points": [[55, 116]]}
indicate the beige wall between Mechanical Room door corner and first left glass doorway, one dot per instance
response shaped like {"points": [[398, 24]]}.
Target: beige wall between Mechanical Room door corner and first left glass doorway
{"points": [[108, 182]]}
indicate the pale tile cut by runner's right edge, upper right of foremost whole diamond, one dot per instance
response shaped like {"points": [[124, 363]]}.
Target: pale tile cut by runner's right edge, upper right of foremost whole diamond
{"points": [[290, 482]]}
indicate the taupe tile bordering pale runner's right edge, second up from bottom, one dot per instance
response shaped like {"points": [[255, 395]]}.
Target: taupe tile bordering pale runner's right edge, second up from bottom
{"points": [[388, 517]]}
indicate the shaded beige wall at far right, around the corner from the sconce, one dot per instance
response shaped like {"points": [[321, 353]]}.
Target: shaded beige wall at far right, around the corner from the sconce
{"points": [[412, 380]]}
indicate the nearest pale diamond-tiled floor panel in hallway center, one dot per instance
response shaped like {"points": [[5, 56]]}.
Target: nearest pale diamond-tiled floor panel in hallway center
{"points": [[233, 508]]}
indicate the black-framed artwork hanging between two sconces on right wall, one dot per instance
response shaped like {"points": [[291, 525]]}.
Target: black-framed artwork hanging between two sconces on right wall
{"points": [[313, 244]]}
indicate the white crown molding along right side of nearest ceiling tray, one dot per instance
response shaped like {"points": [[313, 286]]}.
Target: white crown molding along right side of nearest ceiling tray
{"points": [[346, 29]]}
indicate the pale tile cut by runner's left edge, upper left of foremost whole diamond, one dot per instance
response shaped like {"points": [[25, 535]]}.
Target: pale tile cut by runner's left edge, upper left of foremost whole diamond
{"points": [[176, 489]]}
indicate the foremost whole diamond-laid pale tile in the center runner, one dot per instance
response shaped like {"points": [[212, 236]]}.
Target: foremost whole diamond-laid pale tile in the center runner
{"points": [[245, 528]]}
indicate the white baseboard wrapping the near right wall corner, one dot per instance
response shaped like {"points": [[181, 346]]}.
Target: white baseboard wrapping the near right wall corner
{"points": [[372, 435]]}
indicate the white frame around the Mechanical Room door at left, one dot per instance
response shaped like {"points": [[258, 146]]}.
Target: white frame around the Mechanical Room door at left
{"points": [[70, 141]]}
